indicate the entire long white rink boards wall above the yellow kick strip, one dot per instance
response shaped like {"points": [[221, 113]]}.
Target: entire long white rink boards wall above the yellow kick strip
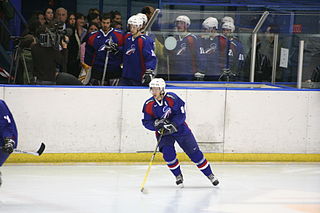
{"points": [[108, 120]]}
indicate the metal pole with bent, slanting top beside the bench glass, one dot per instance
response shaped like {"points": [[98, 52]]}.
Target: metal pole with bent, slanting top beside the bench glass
{"points": [[254, 44]]}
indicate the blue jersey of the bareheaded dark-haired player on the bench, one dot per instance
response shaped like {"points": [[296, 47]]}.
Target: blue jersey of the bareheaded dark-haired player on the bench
{"points": [[96, 54]]}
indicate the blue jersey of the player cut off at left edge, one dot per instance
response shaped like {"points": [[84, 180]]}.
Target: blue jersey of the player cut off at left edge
{"points": [[8, 127]]}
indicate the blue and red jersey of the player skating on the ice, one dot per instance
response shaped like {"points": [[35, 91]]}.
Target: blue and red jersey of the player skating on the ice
{"points": [[153, 109]]}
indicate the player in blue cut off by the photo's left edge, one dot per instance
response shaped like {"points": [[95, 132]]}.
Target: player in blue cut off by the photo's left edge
{"points": [[8, 134]]}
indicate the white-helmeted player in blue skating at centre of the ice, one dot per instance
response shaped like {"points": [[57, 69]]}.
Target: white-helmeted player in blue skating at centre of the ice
{"points": [[173, 128]]}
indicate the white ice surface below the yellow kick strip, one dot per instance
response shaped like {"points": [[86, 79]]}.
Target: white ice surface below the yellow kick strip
{"points": [[94, 188]]}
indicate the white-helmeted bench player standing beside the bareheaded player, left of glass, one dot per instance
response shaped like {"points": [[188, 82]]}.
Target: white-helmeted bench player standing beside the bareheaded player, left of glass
{"points": [[139, 59]]}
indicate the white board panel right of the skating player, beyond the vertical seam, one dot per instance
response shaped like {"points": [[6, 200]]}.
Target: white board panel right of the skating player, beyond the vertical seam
{"points": [[266, 122]]}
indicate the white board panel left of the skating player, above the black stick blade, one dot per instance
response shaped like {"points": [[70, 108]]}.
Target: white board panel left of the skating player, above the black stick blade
{"points": [[67, 119]]}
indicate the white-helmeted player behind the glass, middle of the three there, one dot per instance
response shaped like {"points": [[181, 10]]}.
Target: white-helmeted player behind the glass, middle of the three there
{"points": [[207, 67]]}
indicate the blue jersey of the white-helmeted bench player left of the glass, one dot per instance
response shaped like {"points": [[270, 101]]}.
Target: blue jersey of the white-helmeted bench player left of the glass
{"points": [[138, 57]]}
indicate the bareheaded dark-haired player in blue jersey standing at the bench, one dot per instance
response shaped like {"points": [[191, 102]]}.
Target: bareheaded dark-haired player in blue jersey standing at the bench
{"points": [[107, 44]]}
